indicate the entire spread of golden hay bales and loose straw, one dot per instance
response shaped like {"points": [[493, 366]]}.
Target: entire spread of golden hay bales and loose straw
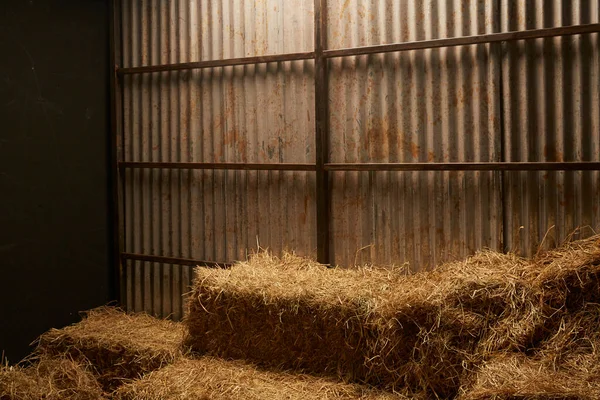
{"points": [[491, 327]]}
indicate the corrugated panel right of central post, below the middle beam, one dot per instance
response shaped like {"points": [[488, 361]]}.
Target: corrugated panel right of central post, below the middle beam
{"points": [[419, 218]]}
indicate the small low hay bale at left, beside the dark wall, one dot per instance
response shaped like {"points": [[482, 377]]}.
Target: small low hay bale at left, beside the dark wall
{"points": [[117, 345]]}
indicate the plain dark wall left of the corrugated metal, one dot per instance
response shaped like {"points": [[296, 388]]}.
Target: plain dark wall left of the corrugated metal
{"points": [[54, 166]]}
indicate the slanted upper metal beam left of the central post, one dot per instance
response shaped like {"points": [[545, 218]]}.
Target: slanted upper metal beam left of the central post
{"points": [[217, 63]]}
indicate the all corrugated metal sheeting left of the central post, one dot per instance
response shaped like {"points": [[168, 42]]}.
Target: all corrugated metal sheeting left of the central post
{"points": [[261, 113]]}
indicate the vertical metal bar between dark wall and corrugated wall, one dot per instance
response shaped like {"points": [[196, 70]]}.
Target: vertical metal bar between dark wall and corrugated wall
{"points": [[116, 118]]}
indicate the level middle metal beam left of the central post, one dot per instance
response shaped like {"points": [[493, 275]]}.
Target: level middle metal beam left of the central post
{"points": [[226, 166]]}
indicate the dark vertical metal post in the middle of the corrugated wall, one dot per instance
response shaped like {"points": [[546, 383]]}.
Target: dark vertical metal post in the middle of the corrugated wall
{"points": [[322, 133]]}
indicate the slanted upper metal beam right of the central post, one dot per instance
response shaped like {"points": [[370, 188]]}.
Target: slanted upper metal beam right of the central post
{"points": [[466, 40]]}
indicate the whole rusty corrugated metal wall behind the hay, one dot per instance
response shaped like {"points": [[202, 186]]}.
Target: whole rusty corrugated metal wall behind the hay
{"points": [[520, 101]]}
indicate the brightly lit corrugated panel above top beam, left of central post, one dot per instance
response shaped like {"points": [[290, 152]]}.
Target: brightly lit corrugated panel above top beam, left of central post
{"points": [[157, 31]]}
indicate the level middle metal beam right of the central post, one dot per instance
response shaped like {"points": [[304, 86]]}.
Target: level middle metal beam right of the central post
{"points": [[467, 166]]}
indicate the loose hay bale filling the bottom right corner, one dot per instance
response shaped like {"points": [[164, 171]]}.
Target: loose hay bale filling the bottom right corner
{"points": [[565, 365]]}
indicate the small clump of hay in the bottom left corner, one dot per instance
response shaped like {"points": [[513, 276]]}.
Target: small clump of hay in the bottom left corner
{"points": [[50, 379]]}
